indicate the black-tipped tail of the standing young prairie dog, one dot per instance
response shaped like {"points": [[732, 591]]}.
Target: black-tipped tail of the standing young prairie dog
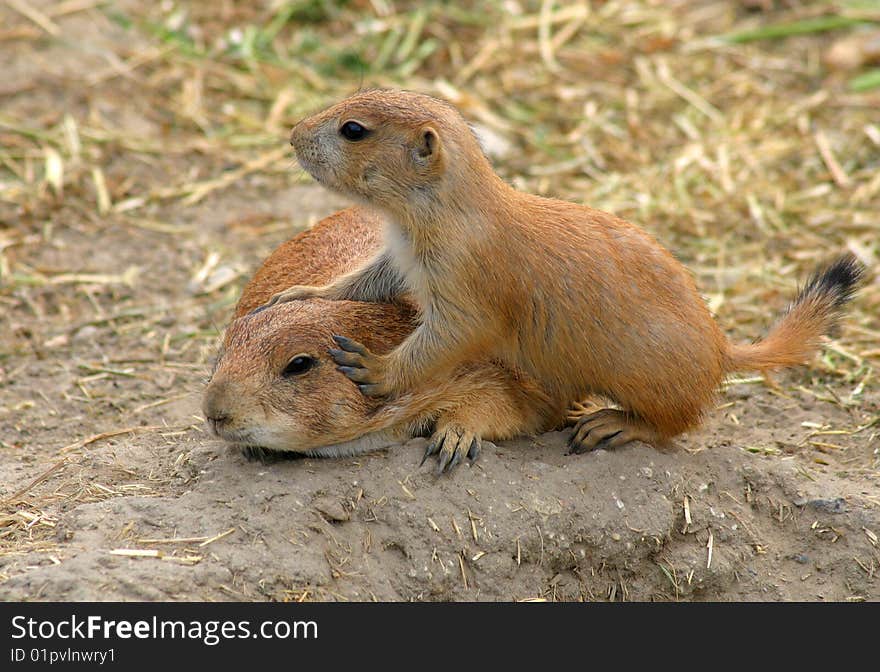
{"points": [[797, 334]]}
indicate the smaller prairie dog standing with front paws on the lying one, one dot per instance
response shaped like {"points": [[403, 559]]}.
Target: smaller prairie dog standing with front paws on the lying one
{"points": [[582, 301]]}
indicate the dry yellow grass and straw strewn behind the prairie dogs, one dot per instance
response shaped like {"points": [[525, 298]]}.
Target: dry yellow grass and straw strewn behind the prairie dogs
{"points": [[720, 129]]}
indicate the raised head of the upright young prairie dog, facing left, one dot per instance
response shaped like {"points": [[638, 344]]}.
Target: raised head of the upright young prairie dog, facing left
{"points": [[390, 148]]}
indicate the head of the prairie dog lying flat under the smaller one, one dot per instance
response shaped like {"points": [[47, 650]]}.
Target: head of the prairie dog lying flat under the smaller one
{"points": [[275, 386]]}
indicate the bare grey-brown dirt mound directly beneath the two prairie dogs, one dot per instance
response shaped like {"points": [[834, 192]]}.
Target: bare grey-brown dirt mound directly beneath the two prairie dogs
{"points": [[524, 522]]}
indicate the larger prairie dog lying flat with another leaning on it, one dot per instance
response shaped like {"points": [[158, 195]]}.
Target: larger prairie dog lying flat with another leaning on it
{"points": [[276, 387]]}
